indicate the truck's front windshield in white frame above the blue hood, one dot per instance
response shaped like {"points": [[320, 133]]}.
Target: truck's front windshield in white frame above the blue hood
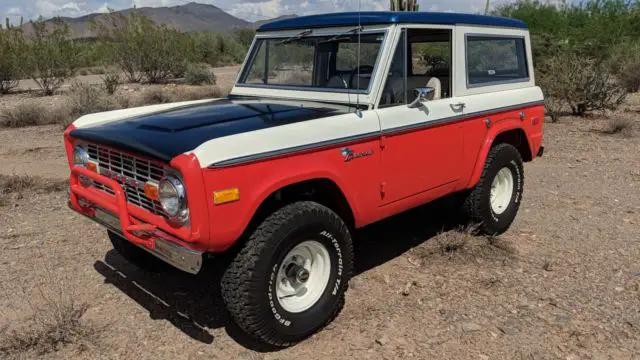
{"points": [[327, 62]]}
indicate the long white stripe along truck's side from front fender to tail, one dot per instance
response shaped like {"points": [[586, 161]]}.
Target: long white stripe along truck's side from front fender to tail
{"points": [[318, 131]]}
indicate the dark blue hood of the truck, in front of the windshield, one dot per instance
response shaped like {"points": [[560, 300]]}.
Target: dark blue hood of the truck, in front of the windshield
{"points": [[167, 134]]}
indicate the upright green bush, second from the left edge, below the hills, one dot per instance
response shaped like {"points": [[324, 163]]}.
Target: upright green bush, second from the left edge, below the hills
{"points": [[50, 56]]}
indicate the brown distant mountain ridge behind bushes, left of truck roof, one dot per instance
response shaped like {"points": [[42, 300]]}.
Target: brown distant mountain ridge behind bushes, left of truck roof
{"points": [[187, 18]]}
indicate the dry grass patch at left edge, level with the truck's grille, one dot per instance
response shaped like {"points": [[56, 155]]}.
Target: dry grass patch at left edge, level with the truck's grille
{"points": [[13, 187]]}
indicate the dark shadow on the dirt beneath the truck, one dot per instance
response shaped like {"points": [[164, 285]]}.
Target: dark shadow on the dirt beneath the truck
{"points": [[193, 304]]}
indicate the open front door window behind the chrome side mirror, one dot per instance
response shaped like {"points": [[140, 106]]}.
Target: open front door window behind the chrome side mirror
{"points": [[422, 59]]}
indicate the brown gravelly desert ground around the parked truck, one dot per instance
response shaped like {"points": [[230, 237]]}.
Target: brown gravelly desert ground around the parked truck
{"points": [[562, 283]]}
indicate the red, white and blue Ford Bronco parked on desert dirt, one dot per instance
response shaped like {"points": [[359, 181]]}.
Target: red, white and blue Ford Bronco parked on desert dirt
{"points": [[336, 121]]}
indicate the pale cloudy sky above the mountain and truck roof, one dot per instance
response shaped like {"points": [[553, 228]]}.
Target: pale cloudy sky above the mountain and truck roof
{"points": [[250, 10]]}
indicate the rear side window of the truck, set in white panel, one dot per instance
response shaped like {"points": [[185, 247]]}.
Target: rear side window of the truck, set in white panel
{"points": [[493, 60]]}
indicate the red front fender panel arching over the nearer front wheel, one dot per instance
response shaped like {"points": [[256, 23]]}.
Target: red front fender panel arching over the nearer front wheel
{"points": [[257, 181]]}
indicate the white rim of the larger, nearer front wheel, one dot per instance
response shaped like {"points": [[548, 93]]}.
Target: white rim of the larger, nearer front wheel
{"points": [[294, 293]]}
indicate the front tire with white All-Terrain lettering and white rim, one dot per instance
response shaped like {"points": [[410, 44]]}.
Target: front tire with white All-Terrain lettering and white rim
{"points": [[289, 279]]}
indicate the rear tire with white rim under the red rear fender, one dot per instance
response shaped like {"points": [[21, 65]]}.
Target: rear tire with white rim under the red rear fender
{"points": [[494, 201]]}
